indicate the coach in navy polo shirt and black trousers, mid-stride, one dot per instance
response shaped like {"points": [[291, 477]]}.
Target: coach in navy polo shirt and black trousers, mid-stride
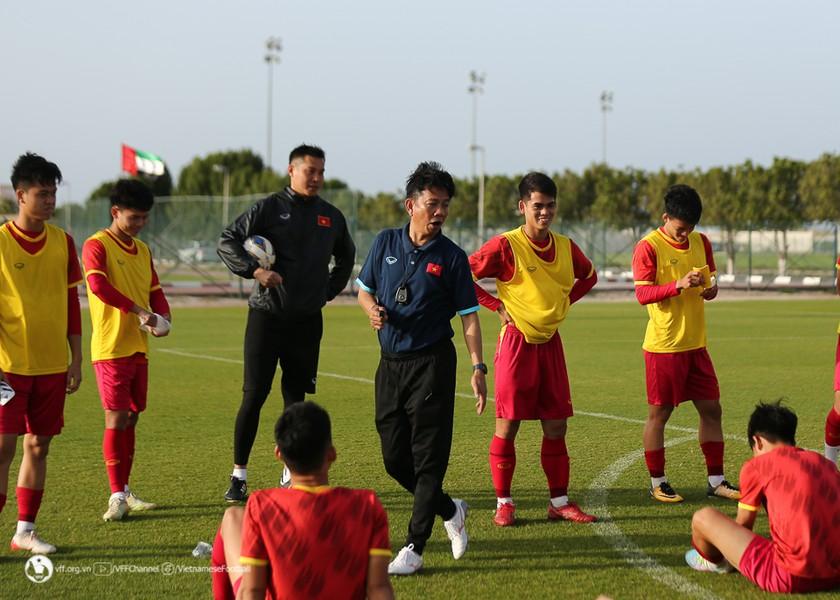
{"points": [[413, 282]]}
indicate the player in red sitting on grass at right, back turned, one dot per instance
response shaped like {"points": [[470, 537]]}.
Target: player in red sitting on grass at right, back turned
{"points": [[800, 490]]}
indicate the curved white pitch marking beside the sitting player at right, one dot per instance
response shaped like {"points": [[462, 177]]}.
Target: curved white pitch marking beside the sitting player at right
{"points": [[597, 501]]}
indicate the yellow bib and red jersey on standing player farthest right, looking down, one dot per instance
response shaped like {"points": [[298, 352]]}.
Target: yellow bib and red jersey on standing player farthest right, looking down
{"points": [[677, 318]]}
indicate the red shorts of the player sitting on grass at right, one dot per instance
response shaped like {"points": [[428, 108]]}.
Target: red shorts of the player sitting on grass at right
{"points": [[759, 565]]}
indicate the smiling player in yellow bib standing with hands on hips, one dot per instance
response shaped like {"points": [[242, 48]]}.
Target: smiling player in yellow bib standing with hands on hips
{"points": [[539, 275]]}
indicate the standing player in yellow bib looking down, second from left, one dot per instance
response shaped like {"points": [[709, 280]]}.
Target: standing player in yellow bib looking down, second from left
{"points": [[122, 283]]}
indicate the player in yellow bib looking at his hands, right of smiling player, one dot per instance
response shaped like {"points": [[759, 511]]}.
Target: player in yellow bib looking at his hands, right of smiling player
{"points": [[673, 269]]}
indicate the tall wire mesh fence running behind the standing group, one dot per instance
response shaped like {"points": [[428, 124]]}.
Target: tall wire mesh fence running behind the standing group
{"points": [[182, 233]]}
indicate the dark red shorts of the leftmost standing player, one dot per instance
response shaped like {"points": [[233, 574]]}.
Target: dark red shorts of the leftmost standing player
{"points": [[38, 405]]}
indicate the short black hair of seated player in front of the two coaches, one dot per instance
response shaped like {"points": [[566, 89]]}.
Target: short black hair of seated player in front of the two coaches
{"points": [[304, 434]]}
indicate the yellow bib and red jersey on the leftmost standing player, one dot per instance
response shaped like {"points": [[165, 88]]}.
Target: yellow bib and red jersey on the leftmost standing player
{"points": [[36, 274]]}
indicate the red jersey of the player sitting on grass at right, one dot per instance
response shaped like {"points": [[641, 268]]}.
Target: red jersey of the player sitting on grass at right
{"points": [[800, 490]]}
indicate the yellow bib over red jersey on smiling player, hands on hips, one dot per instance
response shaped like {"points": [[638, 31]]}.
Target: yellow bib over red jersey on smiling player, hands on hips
{"points": [[536, 282]]}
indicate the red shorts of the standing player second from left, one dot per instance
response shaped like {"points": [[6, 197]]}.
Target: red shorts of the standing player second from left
{"points": [[123, 382]]}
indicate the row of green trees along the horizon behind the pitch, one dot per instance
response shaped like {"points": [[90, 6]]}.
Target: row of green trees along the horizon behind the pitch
{"points": [[779, 197]]}
